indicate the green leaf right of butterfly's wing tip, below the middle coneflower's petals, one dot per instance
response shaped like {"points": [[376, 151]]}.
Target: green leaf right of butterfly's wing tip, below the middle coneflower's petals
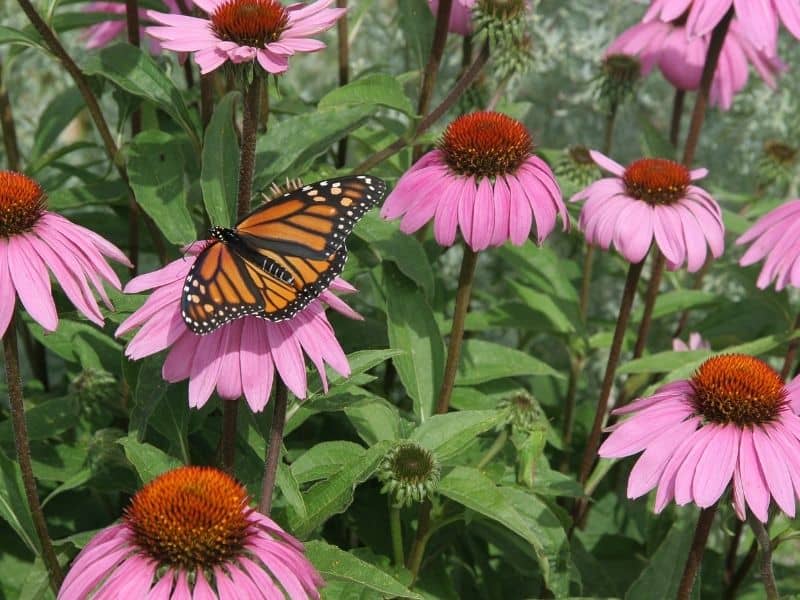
{"points": [[389, 243]]}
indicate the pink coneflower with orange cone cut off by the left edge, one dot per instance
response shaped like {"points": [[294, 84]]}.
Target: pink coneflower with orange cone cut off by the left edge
{"points": [[34, 241]]}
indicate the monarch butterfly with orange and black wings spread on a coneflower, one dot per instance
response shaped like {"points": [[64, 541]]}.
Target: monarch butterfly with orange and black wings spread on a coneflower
{"points": [[279, 257]]}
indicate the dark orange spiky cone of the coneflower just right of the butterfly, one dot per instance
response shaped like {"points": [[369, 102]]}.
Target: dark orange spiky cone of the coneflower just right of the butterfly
{"points": [[485, 144]]}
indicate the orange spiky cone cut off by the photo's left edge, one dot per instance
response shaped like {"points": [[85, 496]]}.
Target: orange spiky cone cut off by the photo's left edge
{"points": [[22, 202]]}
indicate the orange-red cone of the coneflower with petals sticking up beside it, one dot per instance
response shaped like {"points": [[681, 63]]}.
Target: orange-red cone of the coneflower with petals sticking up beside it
{"points": [[657, 180]]}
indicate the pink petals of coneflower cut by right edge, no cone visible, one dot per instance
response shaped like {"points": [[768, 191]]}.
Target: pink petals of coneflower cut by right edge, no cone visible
{"points": [[775, 236]]}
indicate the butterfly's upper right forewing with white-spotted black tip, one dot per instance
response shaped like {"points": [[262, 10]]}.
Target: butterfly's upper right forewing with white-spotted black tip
{"points": [[313, 221]]}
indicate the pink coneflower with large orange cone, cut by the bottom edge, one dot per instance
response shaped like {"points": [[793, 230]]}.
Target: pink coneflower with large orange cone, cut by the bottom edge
{"points": [[190, 533]]}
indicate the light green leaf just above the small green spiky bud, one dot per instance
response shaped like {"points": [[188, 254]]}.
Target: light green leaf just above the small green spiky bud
{"points": [[447, 435]]}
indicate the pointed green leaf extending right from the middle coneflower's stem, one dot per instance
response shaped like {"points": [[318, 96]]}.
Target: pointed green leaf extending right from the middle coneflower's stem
{"points": [[483, 361]]}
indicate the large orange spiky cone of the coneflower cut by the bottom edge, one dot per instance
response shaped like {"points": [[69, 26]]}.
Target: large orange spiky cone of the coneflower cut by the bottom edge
{"points": [[191, 517]]}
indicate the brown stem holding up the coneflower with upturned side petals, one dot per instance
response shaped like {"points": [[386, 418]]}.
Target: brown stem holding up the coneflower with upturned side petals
{"points": [[628, 294]]}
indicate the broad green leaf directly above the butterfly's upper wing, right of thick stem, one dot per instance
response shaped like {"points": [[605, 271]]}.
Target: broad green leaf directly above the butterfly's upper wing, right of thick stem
{"points": [[292, 144]]}
